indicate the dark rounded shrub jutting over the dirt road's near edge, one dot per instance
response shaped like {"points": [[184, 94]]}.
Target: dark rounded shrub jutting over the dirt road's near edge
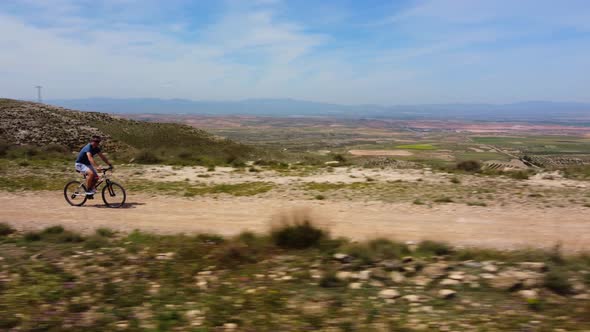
{"points": [[297, 235]]}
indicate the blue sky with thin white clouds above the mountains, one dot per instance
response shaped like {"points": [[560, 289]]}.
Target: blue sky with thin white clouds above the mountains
{"points": [[350, 52]]}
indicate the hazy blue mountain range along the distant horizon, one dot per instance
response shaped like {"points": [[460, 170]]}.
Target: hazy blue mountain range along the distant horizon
{"points": [[526, 111]]}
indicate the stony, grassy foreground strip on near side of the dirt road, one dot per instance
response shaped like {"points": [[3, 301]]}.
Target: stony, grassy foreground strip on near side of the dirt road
{"points": [[57, 280]]}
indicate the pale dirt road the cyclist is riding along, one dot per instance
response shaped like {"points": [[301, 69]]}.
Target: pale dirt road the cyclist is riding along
{"points": [[498, 227]]}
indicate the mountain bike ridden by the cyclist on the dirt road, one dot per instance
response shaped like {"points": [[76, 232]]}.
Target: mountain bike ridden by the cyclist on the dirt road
{"points": [[113, 194]]}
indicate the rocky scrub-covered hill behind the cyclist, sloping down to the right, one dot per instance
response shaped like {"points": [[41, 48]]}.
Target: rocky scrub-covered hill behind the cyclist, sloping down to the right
{"points": [[27, 123]]}
